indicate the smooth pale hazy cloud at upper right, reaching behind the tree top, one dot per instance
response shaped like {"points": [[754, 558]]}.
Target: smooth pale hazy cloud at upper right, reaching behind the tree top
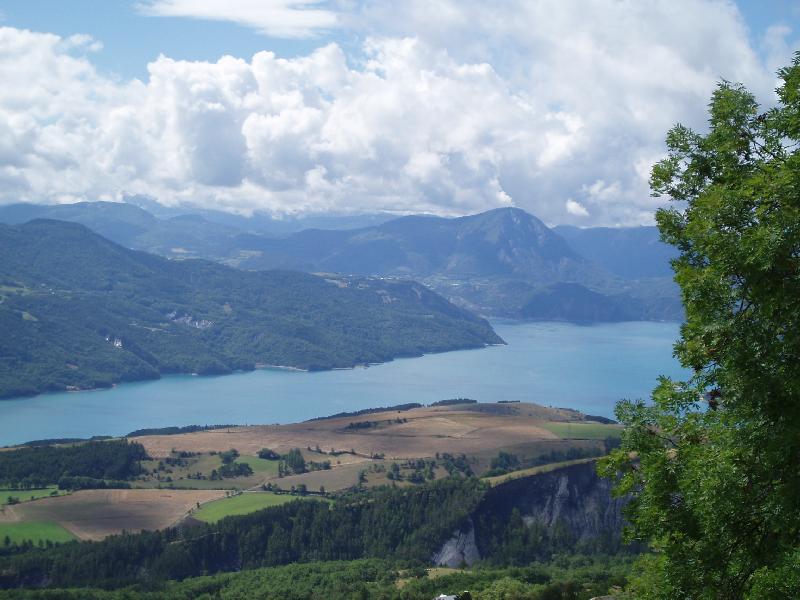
{"points": [[617, 73]]}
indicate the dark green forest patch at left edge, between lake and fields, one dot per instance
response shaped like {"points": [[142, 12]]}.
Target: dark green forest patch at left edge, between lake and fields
{"points": [[39, 466]]}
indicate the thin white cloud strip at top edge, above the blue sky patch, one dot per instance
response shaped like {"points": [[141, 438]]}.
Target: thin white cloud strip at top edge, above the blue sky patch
{"points": [[276, 18]]}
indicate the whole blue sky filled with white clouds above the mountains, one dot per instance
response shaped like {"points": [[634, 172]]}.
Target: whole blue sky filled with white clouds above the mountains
{"points": [[294, 107]]}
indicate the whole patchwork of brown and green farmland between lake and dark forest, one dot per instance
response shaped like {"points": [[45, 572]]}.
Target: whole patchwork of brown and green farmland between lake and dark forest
{"points": [[389, 447]]}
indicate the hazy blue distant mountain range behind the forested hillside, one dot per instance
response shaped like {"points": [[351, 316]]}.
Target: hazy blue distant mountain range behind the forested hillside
{"points": [[504, 262]]}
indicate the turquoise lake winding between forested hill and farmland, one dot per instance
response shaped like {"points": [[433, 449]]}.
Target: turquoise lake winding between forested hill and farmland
{"points": [[587, 368]]}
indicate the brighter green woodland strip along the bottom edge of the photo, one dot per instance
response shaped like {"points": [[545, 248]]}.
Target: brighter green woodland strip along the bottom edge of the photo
{"points": [[564, 578]]}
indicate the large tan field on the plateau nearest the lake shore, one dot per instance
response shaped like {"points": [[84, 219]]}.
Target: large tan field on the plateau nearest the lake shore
{"points": [[462, 428]]}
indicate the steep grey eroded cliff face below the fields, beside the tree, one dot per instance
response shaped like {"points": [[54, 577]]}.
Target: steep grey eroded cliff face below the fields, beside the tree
{"points": [[566, 509]]}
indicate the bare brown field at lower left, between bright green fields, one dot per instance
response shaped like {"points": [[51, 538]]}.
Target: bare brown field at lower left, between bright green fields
{"points": [[95, 514]]}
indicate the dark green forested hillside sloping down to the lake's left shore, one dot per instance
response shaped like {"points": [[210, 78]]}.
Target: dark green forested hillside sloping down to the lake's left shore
{"points": [[77, 310]]}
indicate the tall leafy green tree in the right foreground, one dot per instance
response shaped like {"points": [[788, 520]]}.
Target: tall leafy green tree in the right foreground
{"points": [[712, 463]]}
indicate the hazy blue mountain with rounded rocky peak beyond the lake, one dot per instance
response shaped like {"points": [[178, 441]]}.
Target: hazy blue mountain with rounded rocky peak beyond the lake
{"points": [[500, 242]]}
